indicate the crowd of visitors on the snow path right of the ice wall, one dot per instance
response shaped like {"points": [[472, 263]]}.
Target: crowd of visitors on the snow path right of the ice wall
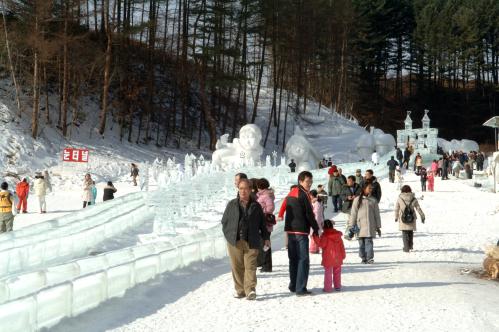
{"points": [[249, 219]]}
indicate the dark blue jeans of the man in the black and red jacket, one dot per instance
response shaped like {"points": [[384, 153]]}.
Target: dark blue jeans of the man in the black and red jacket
{"points": [[299, 262]]}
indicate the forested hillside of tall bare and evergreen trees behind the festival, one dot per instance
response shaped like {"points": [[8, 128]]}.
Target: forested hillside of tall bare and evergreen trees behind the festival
{"points": [[193, 69]]}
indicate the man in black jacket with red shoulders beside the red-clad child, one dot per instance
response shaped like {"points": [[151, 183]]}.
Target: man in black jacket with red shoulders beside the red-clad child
{"points": [[299, 219]]}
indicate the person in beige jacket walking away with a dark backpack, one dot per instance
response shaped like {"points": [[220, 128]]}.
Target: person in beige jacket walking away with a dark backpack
{"points": [[405, 215]]}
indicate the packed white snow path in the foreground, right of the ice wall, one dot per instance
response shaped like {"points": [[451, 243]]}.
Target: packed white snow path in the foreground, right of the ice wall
{"points": [[425, 290]]}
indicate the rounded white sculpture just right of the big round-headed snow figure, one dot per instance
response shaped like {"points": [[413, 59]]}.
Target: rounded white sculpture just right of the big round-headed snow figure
{"points": [[302, 152]]}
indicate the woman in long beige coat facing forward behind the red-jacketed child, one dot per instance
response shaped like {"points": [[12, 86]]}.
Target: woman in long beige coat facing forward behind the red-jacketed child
{"points": [[365, 215]]}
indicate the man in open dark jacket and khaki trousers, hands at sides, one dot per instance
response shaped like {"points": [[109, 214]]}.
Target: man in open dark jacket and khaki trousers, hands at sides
{"points": [[243, 225]]}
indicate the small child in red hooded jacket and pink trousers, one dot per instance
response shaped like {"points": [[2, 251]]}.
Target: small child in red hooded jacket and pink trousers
{"points": [[333, 254]]}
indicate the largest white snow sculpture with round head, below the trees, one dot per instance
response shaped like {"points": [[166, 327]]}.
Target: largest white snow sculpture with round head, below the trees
{"points": [[243, 150]]}
